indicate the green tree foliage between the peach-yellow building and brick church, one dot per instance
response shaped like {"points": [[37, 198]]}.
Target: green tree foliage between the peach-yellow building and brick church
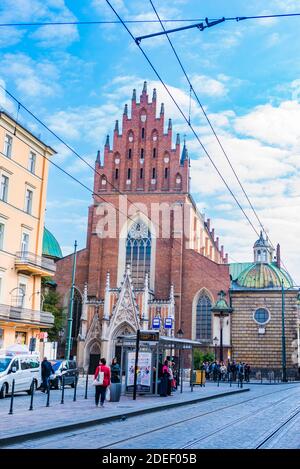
{"points": [[51, 304]]}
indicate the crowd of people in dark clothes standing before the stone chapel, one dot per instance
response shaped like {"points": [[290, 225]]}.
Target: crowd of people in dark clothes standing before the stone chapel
{"points": [[232, 371]]}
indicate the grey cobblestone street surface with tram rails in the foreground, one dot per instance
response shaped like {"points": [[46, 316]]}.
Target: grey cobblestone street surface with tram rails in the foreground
{"points": [[245, 420]]}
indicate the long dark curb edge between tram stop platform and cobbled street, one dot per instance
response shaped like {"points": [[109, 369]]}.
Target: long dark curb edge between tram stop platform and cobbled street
{"points": [[89, 423]]}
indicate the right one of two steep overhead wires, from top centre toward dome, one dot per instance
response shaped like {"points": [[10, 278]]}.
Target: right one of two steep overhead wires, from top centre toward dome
{"points": [[192, 89]]}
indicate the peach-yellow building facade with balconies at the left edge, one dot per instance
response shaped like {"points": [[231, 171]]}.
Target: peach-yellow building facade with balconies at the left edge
{"points": [[23, 185]]}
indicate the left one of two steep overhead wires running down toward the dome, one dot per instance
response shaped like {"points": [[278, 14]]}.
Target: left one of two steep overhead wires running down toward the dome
{"points": [[185, 118]]}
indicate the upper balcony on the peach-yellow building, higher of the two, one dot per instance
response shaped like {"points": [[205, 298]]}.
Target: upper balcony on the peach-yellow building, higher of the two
{"points": [[35, 265]]}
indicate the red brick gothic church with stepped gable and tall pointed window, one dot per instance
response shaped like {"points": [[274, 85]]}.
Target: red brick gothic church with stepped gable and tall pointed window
{"points": [[149, 251]]}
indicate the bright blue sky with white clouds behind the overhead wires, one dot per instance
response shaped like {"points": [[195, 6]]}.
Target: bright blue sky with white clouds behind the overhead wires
{"points": [[77, 79]]}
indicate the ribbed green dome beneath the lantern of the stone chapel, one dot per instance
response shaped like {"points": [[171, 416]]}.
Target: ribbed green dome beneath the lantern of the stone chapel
{"points": [[263, 275]]}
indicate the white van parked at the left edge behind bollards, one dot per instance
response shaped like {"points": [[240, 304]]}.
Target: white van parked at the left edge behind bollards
{"points": [[25, 369]]}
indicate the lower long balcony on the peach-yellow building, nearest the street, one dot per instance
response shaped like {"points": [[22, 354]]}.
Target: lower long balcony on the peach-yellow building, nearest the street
{"points": [[26, 316]]}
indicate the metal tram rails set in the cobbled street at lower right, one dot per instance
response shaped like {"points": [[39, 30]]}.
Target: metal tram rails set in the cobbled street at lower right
{"points": [[203, 414]]}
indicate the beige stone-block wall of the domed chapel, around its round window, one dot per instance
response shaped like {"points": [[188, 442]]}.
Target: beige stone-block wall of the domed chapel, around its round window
{"points": [[260, 345]]}
